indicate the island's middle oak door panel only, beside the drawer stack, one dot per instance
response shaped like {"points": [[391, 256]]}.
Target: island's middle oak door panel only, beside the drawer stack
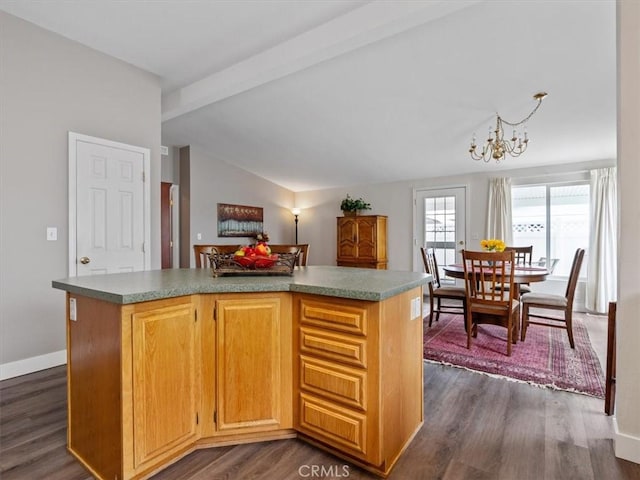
{"points": [[249, 364]]}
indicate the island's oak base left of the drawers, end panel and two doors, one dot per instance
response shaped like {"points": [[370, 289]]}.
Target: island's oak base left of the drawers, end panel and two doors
{"points": [[158, 379]]}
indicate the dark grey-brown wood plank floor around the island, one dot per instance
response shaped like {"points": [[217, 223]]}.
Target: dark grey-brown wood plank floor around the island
{"points": [[476, 427]]}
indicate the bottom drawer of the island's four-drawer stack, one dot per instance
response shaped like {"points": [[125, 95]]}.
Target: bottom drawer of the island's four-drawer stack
{"points": [[335, 425]]}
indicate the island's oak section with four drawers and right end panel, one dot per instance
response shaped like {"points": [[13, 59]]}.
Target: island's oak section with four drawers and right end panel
{"points": [[358, 376]]}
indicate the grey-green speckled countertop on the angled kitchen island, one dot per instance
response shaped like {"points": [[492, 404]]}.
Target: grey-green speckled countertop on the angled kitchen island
{"points": [[342, 282]]}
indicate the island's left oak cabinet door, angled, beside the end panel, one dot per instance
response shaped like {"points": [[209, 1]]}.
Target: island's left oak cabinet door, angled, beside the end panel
{"points": [[164, 380]]}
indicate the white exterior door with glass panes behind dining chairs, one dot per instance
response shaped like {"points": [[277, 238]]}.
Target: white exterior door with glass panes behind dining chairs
{"points": [[440, 224]]}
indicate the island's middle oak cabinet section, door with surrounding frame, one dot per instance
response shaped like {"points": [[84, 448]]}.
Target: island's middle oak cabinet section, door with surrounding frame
{"points": [[246, 367]]}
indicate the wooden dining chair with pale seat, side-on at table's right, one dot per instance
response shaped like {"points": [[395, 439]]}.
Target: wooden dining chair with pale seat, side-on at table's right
{"points": [[553, 302]]}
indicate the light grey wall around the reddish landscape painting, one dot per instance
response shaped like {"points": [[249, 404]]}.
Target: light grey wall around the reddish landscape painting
{"points": [[214, 181]]}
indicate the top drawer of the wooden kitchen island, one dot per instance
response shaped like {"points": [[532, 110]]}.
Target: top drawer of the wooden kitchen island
{"points": [[342, 317]]}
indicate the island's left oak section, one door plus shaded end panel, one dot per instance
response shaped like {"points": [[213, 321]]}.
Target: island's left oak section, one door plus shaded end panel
{"points": [[133, 384]]}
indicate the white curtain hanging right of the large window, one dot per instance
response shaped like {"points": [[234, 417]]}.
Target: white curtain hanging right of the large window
{"points": [[602, 265]]}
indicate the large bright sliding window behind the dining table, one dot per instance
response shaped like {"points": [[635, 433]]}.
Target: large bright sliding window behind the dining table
{"points": [[554, 218]]}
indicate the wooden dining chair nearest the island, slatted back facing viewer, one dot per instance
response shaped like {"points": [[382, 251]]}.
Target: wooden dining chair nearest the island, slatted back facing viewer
{"points": [[486, 304]]}
